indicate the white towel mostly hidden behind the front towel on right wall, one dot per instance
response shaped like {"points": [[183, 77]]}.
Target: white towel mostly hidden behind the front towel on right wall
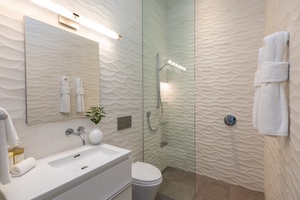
{"points": [[256, 84]]}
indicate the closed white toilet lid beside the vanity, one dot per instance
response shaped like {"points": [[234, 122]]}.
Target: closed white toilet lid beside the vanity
{"points": [[144, 172]]}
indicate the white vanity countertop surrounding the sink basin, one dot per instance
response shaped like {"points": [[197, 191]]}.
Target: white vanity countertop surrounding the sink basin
{"points": [[43, 181]]}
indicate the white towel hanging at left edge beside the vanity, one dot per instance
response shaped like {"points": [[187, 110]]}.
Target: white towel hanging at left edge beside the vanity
{"points": [[8, 136]]}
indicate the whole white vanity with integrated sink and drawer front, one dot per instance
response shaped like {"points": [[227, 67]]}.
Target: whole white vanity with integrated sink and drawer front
{"points": [[90, 172]]}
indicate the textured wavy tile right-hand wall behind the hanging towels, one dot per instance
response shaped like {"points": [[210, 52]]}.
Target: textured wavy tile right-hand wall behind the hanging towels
{"points": [[282, 161]]}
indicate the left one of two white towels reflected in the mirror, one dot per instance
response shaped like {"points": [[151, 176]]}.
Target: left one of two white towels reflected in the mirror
{"points": [[65, 95]]}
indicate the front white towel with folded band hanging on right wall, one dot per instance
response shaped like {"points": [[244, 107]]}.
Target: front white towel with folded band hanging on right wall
{"points": [[273, 113]]}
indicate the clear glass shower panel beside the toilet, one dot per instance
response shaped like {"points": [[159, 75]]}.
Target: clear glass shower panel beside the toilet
{"points": [[169, 90]]}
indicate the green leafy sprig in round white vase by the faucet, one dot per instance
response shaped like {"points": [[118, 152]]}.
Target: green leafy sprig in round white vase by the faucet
{"points": [[96, 114]]}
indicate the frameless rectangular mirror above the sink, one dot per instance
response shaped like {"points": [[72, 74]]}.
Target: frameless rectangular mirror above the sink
{"points": [[53, 53]]}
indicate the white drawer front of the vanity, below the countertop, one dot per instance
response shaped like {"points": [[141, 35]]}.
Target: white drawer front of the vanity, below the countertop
{"points": [[114, 183]]}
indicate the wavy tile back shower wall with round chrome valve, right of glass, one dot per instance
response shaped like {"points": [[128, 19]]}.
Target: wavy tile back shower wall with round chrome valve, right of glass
{"points": [[227, 38]]}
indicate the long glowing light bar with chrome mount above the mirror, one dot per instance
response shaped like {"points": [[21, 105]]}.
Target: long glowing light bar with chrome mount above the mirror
{"points": [[73, 20]]}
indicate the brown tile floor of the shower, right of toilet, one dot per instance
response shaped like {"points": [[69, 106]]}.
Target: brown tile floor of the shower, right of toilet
{"points": [[181, 185]]}
